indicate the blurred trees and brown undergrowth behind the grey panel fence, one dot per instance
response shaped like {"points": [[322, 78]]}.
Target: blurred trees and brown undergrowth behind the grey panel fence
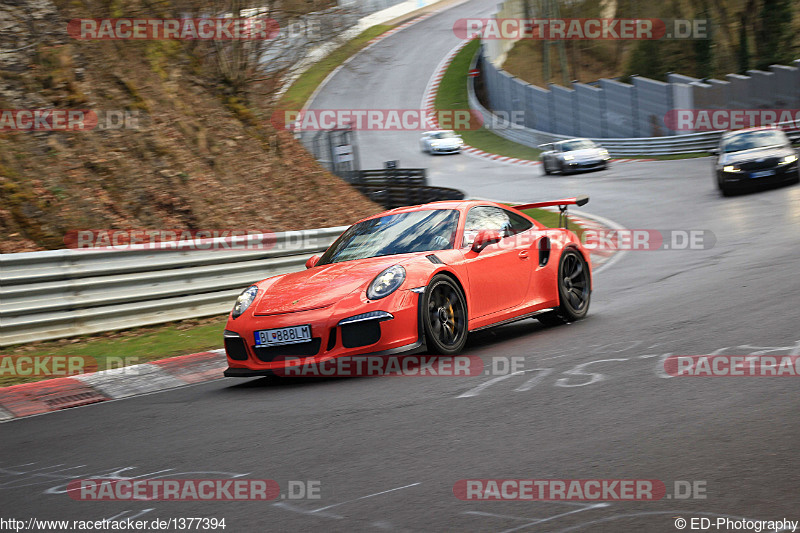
{"points": [[743, 35]]}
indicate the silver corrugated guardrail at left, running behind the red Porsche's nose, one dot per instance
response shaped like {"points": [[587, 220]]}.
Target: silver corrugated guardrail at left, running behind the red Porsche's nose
{"points": [[61, 293]]}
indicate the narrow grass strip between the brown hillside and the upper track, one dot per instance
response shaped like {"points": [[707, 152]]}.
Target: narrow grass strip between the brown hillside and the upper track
{"points": [[305, 85]]}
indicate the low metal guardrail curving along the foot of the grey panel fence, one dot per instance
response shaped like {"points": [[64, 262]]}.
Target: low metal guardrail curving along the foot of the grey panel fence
{"points": [[672, 144]]}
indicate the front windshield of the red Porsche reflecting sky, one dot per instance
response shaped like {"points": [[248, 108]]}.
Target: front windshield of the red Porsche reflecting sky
{"points": [[403, 233]]}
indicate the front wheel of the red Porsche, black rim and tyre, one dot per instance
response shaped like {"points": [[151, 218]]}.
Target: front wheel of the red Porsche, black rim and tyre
{"points": [[444, 316]]}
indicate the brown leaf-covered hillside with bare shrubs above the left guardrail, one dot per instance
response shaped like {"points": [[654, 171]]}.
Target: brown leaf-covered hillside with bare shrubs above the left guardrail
{"points": [[196, 149]]}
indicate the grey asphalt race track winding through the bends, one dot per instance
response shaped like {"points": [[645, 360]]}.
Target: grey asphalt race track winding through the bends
{"points": [[593, 402]]}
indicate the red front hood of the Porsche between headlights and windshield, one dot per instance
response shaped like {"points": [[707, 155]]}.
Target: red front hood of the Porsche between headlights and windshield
{"points": [[320, 286]]}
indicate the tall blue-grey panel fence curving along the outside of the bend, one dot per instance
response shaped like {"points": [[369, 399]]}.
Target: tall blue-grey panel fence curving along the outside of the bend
{"points": [[610, 109]]}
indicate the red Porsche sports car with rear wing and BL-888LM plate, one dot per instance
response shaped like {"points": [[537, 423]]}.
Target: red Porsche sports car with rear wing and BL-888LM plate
{"points": [[412, 279]]}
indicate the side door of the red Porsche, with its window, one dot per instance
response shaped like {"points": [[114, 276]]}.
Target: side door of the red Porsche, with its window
{"points": [[499, 275]]}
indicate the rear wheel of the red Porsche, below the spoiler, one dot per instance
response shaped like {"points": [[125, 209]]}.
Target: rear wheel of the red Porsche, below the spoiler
{"points": [[574, 290]]}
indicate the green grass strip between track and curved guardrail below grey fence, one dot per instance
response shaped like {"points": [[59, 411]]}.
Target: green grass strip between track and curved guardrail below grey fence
{"points": [[452, 94]]}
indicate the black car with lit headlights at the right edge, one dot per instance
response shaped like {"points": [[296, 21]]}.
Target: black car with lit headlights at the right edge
{"points": [[755, 157]]}
